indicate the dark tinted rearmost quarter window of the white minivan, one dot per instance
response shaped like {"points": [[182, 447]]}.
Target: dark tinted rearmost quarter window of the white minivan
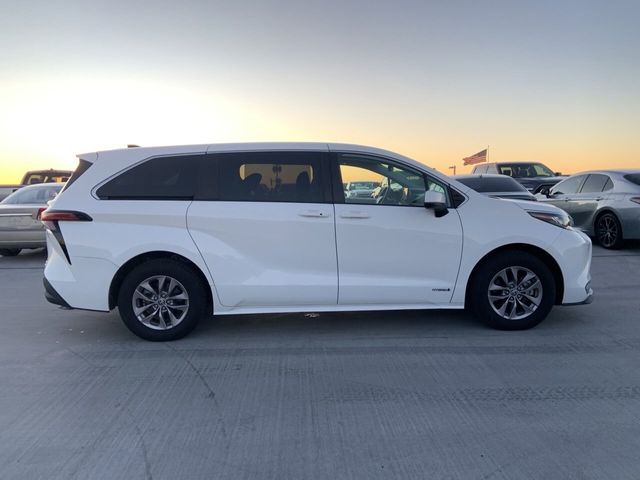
{"points": [[161, 178]]}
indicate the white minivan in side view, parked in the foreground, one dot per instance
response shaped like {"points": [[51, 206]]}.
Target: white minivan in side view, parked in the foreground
{"points": [[169, 235]]}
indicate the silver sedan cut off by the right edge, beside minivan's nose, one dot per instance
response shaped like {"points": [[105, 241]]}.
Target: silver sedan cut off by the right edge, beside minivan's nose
{"points": [[604, 204]]}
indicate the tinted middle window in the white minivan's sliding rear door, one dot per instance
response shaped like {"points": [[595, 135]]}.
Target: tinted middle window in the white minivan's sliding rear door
{"points": [[272, 177]]}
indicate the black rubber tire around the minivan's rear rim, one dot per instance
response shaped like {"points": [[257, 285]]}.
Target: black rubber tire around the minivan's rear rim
{"points": [[187, 280]]}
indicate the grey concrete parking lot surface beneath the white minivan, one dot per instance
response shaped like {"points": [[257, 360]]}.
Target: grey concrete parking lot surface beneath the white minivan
{"points": [[338, 396]]}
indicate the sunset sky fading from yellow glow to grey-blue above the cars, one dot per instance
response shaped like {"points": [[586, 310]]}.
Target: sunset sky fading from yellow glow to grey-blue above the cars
{"points": [[551, 81]]}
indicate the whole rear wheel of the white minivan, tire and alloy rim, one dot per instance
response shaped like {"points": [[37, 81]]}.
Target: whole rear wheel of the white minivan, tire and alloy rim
{"points": [[161, 300]]}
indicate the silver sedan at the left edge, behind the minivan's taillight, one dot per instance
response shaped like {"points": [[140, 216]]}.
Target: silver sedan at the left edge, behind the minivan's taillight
{"points": [[20, 226]]}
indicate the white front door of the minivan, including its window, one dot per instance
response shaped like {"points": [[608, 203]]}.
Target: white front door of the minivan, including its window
{"points": [[392, 250]]}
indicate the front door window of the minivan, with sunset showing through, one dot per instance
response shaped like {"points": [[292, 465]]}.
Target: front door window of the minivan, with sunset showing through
{"points": [[392, 184]]}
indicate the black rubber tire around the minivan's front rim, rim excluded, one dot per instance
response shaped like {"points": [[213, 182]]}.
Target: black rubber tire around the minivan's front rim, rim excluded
{"points": [[480, 304]]}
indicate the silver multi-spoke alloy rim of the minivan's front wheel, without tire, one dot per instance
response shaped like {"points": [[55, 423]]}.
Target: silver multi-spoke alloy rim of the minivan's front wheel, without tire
{"points": [[515, 292]]}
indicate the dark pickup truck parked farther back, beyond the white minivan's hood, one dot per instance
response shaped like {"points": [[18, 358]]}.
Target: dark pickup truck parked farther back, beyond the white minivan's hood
{"points": [[533, 176]]}
